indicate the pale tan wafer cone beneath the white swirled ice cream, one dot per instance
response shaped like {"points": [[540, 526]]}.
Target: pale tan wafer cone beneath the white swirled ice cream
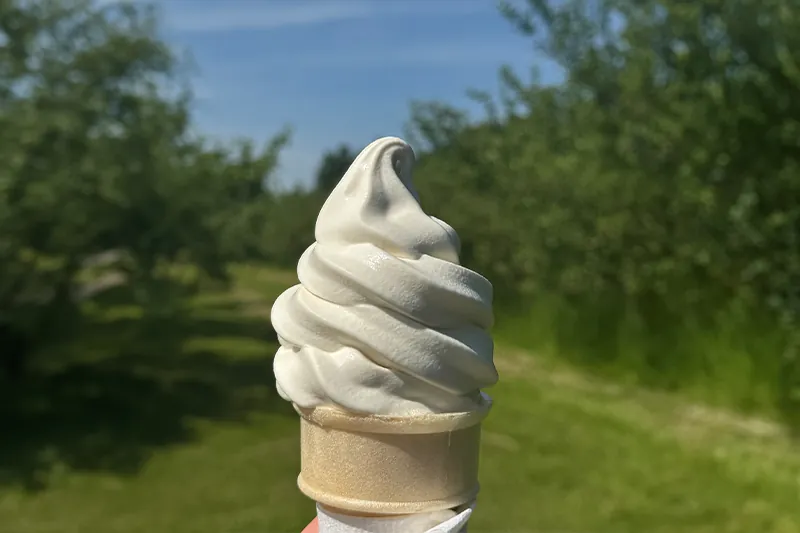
{"points": [[383, 465]]}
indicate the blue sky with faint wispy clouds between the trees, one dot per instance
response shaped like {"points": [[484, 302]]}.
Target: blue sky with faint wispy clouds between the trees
{"points": [[336, 70]]}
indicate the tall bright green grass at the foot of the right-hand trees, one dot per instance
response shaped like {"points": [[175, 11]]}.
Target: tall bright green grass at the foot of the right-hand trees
{"points": [[728, 355]]}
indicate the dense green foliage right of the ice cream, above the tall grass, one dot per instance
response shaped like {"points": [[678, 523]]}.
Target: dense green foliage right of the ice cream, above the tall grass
{"points": [[664, 171]]}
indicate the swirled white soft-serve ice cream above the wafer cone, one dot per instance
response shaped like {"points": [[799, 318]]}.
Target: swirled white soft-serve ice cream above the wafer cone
{"points": [[385, 320]]}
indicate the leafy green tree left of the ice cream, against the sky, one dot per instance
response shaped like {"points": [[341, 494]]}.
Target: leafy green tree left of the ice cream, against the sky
{"points": [[97, 155]]}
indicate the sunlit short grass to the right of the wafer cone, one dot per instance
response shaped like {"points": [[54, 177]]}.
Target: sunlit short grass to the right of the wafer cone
{"points": [[563, 452]]}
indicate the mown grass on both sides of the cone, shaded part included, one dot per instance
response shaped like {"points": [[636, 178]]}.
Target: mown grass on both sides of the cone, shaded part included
{"points": [[163, 419]]}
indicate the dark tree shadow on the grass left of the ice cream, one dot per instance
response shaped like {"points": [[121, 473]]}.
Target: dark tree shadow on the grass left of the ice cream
{"points": [[123, 387]]}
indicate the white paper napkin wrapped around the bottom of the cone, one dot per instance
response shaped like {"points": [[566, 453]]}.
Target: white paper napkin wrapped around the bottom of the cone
{"points": [[450, 521]]}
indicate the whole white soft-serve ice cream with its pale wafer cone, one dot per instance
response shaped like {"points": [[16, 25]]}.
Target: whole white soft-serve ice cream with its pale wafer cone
{"points": [[386, 321]]}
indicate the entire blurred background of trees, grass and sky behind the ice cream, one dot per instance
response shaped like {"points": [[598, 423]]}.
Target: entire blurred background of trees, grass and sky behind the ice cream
{"points": [[626, 173]]}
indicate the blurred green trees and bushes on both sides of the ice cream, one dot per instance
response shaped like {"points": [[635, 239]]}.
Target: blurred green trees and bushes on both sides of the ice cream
{"points": [[655, 191]]}
